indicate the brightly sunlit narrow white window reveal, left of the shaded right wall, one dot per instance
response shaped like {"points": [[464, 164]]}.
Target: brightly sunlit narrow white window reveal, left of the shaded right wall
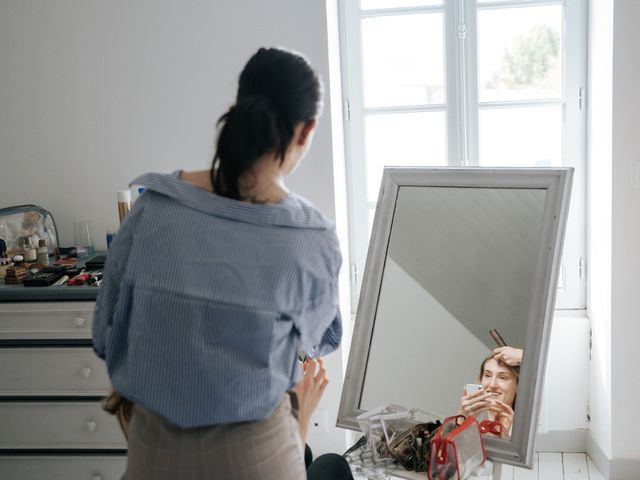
{"points": [[599, 219]]}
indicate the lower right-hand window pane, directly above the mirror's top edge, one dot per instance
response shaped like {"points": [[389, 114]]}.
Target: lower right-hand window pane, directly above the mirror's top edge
{"points": [[521, 137]]}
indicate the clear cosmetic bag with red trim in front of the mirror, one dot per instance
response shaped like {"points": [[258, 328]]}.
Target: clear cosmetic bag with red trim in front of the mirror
{"points": [[456, 449]]}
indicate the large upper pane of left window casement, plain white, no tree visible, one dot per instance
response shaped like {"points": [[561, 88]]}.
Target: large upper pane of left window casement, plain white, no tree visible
{"points": [[403, 60]]}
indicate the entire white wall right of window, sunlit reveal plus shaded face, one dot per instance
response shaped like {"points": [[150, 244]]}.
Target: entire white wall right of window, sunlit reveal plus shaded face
{"points": [[614, 233]]}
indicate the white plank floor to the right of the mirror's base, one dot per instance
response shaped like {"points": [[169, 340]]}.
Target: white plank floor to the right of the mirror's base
{"points": [[555, 466]]}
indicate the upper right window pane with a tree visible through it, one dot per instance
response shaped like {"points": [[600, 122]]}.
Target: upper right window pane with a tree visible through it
{"points": [[519, 53]]}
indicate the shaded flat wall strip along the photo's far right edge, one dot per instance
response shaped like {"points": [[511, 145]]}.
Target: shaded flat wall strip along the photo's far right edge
{"points": [[625, 248]]}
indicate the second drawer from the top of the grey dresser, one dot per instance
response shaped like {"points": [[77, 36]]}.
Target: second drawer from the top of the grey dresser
{"points": [[52, 372]]}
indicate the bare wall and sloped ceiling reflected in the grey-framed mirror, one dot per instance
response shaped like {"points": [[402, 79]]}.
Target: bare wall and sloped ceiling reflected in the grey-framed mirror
{"points": [[448, 288]]}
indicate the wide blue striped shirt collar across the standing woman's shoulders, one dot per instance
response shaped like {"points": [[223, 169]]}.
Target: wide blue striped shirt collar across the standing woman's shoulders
{"points": [[292, 211]]}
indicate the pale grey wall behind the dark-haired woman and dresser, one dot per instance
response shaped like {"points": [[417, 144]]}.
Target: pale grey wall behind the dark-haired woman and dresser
{"points": [[94, 93]]}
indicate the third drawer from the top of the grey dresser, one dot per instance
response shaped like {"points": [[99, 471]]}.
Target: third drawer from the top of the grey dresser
{"points": [[60, 425]]}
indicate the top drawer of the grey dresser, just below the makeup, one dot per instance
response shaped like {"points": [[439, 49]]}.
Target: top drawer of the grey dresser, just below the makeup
{"points": [[46, 320]]}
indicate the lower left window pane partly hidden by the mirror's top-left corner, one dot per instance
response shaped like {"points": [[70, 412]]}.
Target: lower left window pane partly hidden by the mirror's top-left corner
{"points": [[402, 139]]}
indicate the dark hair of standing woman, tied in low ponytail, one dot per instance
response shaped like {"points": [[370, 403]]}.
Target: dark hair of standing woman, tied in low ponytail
{"points": [[277, 90]]}
